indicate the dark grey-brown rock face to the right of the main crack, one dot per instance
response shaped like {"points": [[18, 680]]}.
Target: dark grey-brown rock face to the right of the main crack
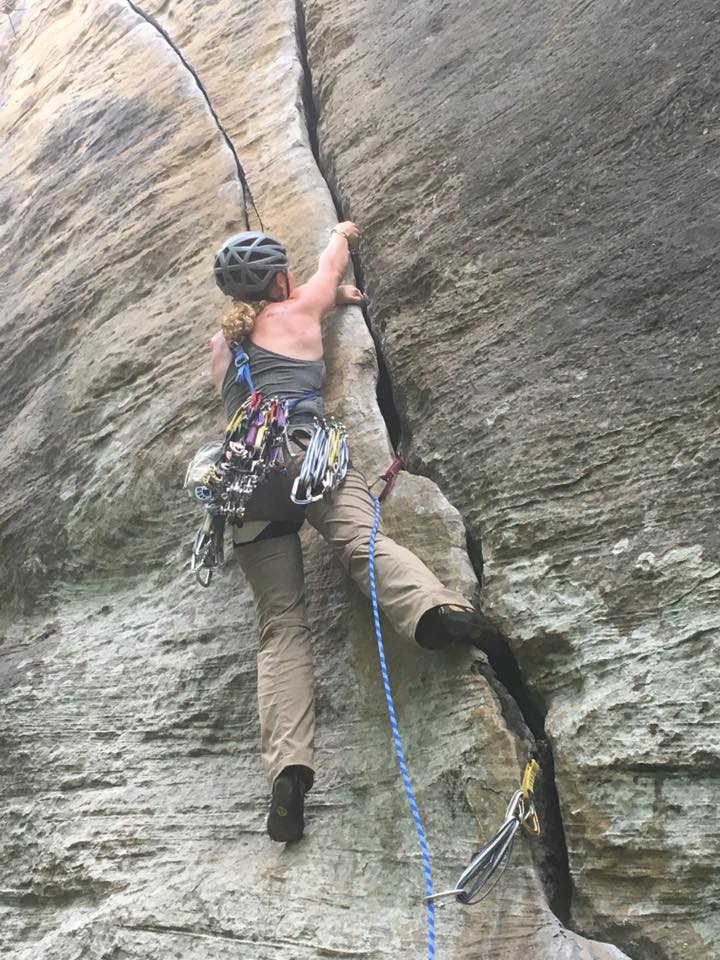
{"points": [[538, 188]]}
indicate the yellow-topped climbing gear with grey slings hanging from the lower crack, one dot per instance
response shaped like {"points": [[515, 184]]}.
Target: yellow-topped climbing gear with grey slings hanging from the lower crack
{"points": [[487, 866]]}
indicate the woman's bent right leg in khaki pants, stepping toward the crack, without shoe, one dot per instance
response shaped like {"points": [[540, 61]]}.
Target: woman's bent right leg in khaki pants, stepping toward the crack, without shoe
{"points": [[406, 587]]}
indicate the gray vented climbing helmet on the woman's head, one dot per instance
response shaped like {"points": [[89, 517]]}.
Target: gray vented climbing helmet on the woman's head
{"points": [[246, 264]]}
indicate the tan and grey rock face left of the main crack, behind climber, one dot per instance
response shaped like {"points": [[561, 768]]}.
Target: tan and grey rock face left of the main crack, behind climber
{"points": [[132, 797]]}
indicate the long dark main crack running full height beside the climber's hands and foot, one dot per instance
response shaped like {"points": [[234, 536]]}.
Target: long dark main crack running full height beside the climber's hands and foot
{"points": [[521, 710]]}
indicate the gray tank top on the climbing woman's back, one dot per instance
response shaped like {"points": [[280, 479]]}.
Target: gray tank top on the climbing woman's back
{"points": [[276, 375]]}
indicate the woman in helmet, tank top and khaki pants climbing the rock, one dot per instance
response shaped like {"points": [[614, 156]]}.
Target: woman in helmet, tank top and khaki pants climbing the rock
{"points": [[273, 327]]}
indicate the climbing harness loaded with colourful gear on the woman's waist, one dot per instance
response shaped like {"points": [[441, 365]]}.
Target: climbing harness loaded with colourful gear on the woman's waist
{"points": [[224, 475]]}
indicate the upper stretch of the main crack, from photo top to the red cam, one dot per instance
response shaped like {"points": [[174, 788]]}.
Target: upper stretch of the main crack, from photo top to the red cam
{"points": [[383, 387]]}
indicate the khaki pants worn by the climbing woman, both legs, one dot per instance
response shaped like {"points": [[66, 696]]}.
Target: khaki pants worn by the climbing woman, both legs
{"points": [[274, 569]]}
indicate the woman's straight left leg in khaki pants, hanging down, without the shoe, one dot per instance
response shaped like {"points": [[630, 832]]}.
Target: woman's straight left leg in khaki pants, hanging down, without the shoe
{"points": [[274, 570]]}
